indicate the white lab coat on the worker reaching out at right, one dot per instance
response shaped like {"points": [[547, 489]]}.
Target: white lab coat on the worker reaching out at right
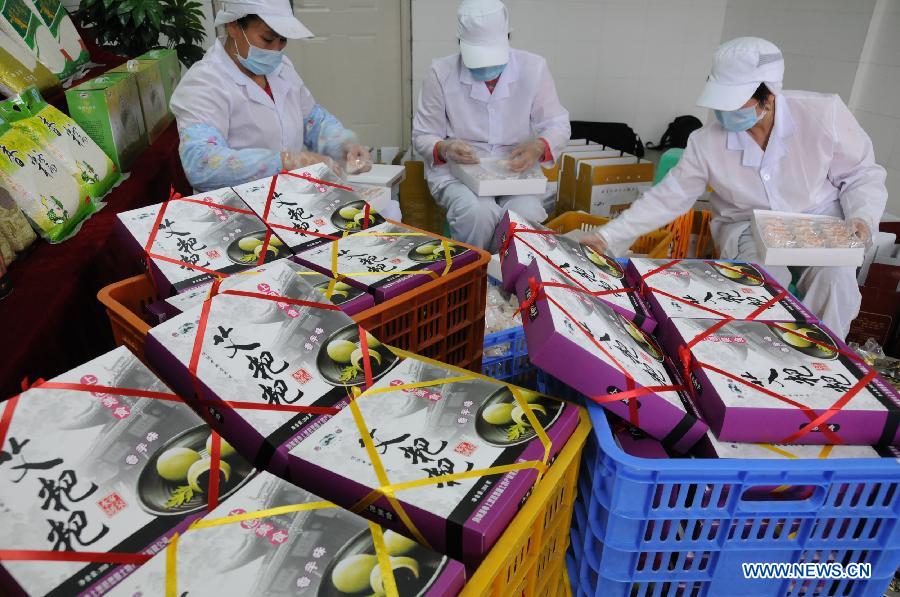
{"points": [[818, 160]]}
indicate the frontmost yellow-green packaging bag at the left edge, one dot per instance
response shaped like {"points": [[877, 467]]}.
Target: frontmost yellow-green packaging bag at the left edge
{"points": [[41, 186]]}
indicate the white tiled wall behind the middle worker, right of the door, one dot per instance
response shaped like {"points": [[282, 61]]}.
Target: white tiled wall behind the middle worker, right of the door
{"points": [[642, 62]]}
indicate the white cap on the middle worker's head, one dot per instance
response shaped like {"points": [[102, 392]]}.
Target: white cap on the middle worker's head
{"points": [[483, 33]]}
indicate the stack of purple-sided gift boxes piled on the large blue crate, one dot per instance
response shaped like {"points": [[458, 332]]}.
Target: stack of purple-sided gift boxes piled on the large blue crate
{"points": [[722, 362]]}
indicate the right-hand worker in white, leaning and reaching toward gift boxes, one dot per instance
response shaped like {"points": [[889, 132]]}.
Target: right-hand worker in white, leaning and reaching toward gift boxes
{"points": [[792, 151]]}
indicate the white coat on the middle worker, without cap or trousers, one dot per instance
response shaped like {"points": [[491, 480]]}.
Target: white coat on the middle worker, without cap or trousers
{"points": [[524, 105]]}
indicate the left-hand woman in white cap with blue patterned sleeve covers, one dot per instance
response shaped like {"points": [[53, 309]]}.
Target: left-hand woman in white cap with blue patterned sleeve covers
{"points": [[244, 113]]}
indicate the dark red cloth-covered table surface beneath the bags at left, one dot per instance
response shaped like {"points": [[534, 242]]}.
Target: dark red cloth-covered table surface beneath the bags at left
{"points": [[53, 321]]}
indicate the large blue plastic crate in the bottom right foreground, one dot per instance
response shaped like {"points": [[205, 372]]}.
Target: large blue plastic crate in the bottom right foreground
{"points": [[657, 527]]}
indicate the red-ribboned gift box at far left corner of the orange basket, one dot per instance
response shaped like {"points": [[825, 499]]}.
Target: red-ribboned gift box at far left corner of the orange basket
{"points": [[195, 239]]}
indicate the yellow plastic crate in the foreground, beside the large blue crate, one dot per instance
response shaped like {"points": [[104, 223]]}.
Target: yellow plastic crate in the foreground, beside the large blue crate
{"points": [[529, 558]]}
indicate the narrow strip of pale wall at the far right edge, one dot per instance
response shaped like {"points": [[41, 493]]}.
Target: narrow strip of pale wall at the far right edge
{"points": [[876, 94]]}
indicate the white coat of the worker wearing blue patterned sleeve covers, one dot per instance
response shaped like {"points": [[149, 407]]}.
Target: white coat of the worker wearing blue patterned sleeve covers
{"points": [[214, 92]]}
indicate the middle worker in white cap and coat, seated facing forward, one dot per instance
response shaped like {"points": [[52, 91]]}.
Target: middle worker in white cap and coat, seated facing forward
{"points": [[486, 100]]}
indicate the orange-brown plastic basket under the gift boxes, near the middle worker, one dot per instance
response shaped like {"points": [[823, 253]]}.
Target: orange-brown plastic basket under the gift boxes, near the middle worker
{"points": [[442, 319]]}
